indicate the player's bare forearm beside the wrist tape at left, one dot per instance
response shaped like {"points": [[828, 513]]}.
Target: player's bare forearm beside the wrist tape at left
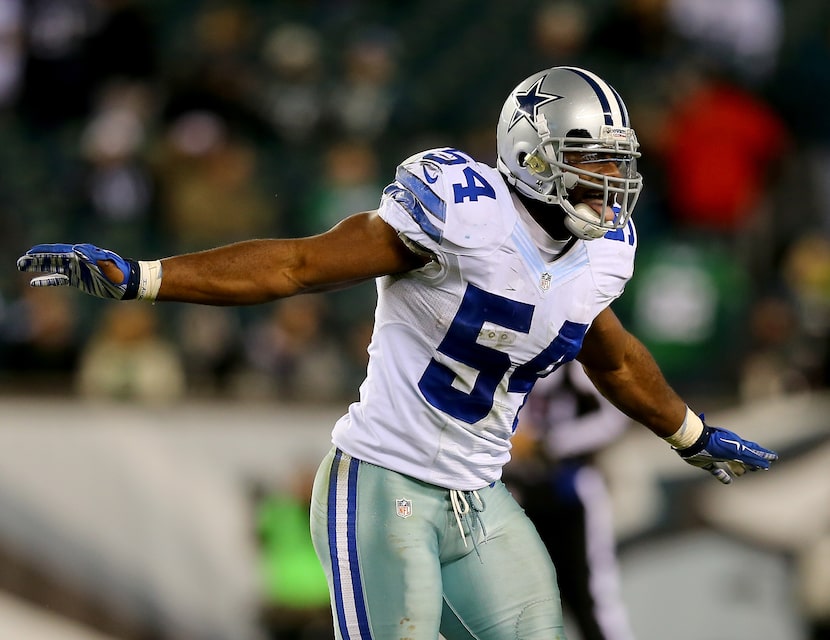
{"points": [[249, 272]]}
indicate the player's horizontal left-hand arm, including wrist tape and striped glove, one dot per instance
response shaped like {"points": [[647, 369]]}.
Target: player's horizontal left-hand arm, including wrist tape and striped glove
{"points": [[360, 247]]}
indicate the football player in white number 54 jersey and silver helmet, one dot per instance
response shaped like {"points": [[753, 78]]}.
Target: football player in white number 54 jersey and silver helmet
{"points": [[487, 279]]}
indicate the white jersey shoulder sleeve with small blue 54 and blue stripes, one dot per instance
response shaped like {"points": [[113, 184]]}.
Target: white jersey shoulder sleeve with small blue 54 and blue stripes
{"points": [[444, 201]]}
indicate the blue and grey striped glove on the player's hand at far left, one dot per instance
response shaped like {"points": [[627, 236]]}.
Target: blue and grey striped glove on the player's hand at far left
{"points": [[75, 265]]}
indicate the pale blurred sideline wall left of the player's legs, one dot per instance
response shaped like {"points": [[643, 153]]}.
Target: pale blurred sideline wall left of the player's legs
{"points": [[149, 506]]}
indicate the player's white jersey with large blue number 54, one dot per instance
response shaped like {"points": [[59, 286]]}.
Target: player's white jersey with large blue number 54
{"points": [[459, 343]]}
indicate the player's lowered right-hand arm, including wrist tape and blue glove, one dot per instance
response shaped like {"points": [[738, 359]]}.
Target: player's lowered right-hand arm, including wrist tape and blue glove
{"points": [[625, 372]]}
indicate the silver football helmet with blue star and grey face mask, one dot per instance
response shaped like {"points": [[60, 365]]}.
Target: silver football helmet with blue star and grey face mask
{"points": [[559, 117]]}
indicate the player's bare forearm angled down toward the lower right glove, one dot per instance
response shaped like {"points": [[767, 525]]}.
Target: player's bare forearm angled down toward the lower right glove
{"points": [[638, 388]]}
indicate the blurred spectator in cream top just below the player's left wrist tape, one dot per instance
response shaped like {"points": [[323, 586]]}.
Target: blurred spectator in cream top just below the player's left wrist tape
{"points": [[128, 360]]}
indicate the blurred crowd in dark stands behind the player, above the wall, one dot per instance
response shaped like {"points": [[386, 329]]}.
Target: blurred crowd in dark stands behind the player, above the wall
{"points": [[161, 126]]}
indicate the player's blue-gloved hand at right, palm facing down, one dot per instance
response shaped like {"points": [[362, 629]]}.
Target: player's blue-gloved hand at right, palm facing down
{"points": [[726, 455]]}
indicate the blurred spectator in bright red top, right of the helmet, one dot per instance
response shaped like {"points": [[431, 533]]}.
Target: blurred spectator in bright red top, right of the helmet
{"points": [[723, 149]]}
